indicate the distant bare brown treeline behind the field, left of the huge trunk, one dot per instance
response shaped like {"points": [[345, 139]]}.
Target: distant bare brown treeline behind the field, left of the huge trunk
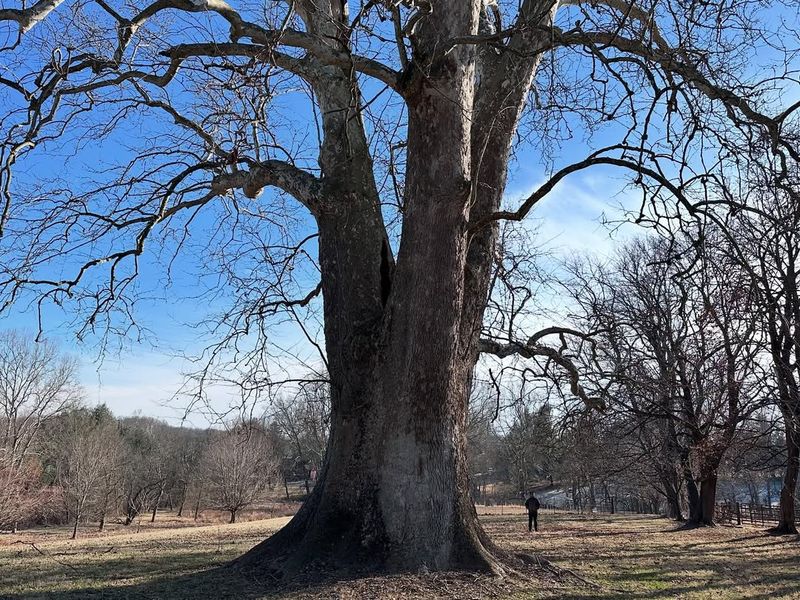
{"points": [[61, 461]]}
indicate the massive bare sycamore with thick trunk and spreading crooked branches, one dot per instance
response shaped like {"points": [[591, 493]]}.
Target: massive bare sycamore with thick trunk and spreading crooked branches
{"points": [[417, 105]]}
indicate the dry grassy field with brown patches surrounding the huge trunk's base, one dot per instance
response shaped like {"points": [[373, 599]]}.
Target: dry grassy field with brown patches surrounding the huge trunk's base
{"points": [[603, 557]]}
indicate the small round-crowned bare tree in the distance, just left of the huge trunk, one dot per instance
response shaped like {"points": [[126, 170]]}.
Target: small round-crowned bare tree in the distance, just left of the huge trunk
{"points": [[237, 467]]}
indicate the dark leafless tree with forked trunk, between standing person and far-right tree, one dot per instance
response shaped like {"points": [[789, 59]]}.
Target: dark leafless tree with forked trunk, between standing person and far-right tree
{"points": [[681, 349]]}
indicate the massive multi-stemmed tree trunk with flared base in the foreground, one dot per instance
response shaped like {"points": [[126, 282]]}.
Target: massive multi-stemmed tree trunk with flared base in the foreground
{"points": [[402, 339]]}
